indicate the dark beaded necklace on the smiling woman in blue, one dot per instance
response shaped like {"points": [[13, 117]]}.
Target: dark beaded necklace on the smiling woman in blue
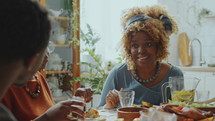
{"points": [[136, 76]]}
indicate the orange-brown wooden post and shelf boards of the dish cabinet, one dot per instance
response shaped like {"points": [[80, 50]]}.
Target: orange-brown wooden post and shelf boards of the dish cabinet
{"points": [[63, 24]]}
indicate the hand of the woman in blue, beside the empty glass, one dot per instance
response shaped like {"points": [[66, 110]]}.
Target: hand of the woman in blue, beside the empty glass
{"points": [[112, 99]]}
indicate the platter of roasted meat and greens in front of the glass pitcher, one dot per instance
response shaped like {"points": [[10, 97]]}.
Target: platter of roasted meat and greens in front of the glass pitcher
{"points": [[184, 111]]}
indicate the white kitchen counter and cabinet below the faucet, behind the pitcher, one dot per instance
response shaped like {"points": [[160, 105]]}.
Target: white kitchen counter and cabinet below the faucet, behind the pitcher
{"points": [[207, 80]]}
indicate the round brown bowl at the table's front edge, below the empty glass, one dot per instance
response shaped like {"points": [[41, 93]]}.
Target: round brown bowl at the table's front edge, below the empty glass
{"points": [[129, 113]]}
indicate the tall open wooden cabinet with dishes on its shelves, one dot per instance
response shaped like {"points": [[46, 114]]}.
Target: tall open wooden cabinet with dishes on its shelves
{"points": [[64, 44]]}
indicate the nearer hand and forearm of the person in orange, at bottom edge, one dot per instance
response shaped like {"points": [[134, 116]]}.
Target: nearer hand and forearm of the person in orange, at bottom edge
{"points": [[61, 110]]}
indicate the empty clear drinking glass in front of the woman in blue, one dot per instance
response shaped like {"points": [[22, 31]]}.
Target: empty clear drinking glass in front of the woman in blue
{"points": [[126, 98]]}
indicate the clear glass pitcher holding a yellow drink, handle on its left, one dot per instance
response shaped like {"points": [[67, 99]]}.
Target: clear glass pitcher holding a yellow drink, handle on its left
{"points": [[182, 88]]}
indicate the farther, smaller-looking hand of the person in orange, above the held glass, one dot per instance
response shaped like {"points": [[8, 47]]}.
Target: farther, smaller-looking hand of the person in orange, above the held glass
{"points": [[86, 93]]}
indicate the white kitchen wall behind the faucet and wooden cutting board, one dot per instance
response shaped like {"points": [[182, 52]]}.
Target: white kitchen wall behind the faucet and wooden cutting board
{"points": [[186, 13]]}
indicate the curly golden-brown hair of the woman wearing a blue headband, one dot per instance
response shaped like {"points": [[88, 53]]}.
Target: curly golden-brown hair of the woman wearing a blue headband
{"points": [[153, 27]]}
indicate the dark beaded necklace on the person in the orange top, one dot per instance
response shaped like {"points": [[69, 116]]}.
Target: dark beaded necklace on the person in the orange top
{"points": [[36, 93]]}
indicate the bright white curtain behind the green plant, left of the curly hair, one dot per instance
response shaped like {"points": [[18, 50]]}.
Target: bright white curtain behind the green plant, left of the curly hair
{"points": [[104, 18]]}
